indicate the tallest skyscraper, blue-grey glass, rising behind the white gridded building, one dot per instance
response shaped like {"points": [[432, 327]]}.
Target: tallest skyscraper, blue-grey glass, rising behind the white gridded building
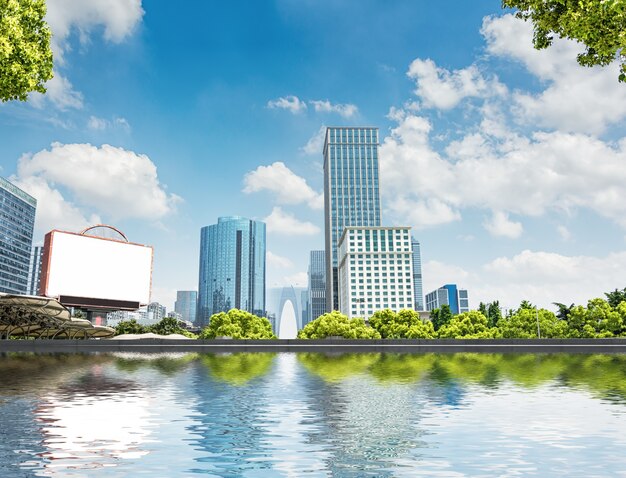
{"points": [[351, 194]]}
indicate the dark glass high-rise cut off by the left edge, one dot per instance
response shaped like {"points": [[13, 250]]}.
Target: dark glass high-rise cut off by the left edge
{"points": [[17, 221]]}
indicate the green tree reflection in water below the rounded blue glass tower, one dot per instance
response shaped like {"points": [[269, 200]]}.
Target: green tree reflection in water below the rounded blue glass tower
{"points": [[238, 368]]}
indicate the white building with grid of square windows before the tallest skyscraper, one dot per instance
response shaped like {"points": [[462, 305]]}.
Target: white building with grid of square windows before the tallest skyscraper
{"points": [[375, 270]]}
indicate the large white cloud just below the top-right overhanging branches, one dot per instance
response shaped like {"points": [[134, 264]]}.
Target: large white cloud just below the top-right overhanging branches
{"points": [[576, 99]]}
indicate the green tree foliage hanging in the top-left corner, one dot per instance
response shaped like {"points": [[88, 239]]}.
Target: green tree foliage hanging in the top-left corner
{"points": [[25, 54]]}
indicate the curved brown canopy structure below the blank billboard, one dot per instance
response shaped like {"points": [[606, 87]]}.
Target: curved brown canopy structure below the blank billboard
{"points": [[44, 318]]}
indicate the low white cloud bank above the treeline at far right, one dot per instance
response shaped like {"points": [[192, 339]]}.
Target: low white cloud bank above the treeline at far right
{"points": [[538, 276]]}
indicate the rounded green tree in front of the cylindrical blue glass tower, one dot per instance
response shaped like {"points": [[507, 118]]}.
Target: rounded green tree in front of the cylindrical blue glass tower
{"points": [[238, 324]]}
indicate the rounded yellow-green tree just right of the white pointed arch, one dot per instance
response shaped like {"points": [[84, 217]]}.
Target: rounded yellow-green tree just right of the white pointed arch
{"points": [[335, 324]]}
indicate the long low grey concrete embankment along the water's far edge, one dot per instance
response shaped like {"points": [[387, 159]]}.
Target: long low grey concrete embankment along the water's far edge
{"points": [[323, 346]]}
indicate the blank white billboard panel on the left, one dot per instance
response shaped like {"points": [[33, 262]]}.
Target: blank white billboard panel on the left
{"points": [[92, 267]]}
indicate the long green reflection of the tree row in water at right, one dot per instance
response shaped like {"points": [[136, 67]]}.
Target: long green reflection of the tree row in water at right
{"points": [[603, 375]]}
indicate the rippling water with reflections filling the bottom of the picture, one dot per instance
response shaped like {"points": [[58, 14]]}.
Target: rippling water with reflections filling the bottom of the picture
{"points": [[292, 415]]}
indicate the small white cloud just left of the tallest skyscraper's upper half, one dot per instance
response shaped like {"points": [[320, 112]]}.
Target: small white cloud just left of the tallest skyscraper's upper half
{"points": [[288, 187]]}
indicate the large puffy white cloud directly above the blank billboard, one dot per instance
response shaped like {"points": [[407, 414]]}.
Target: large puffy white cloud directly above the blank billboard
{"points": [[105, 181]]}
